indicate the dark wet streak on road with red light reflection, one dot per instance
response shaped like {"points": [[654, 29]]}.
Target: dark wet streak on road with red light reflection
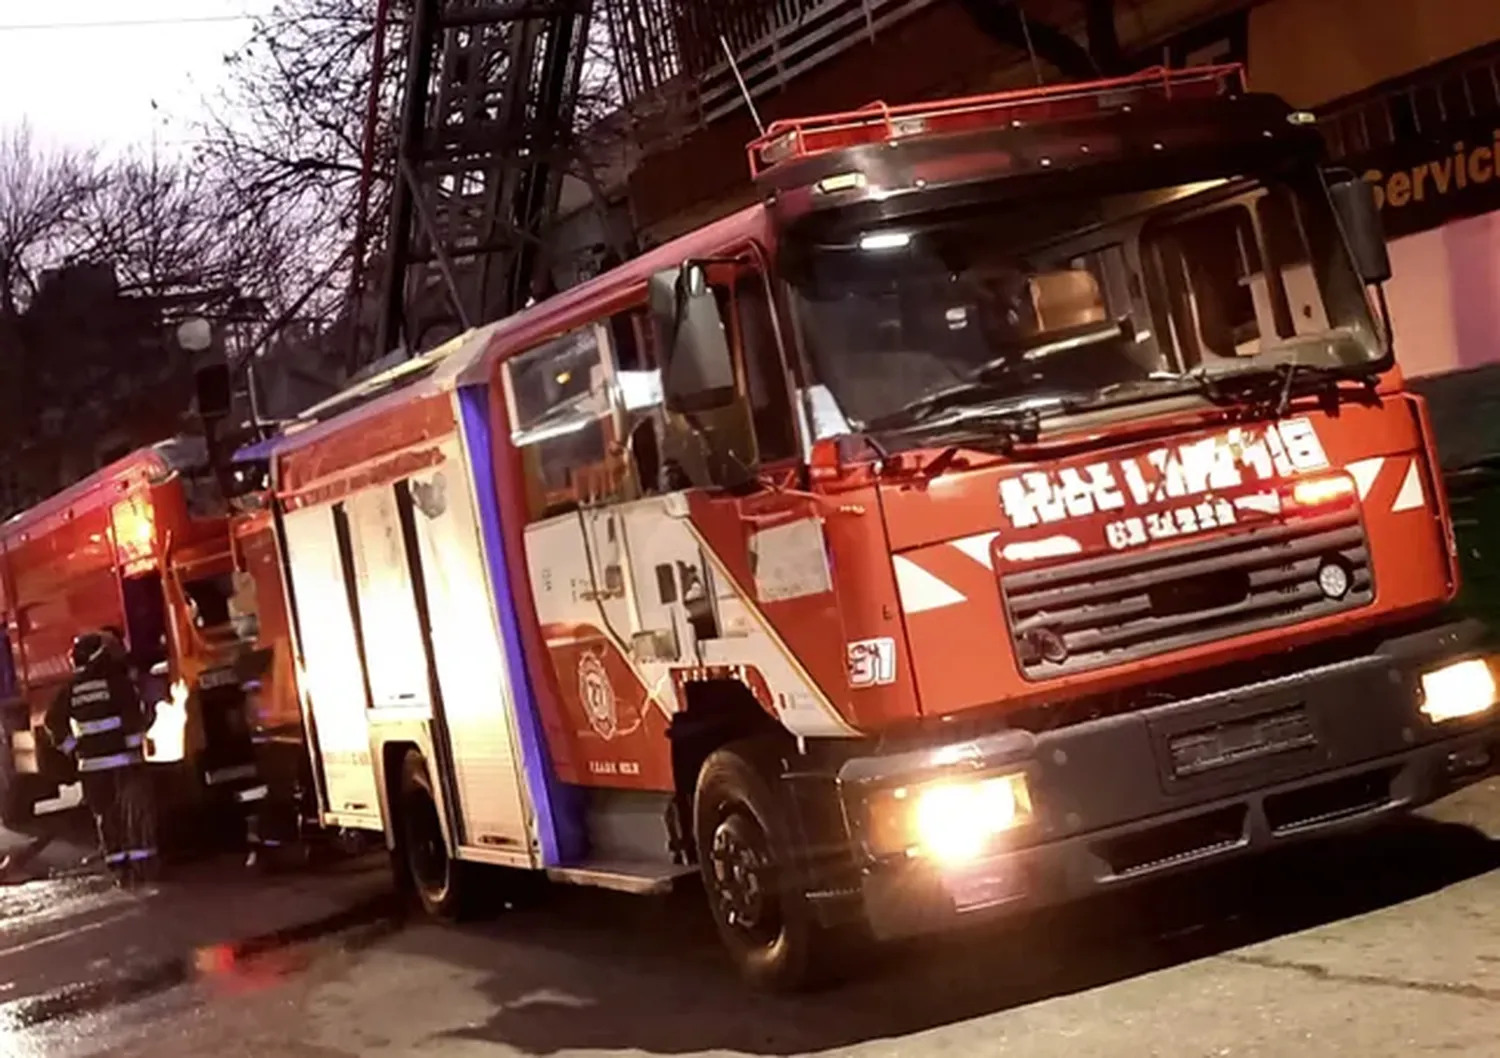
{"points": [[233, 969]]}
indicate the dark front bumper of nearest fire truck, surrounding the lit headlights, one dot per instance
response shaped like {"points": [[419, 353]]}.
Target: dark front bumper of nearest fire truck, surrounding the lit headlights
{"points": [[1120, 801]]}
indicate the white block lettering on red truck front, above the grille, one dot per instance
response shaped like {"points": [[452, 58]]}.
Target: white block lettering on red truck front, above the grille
{"points": [[1171, 491]]}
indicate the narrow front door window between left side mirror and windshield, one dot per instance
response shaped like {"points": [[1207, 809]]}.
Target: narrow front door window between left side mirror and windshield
{"points": [[748, 313]]}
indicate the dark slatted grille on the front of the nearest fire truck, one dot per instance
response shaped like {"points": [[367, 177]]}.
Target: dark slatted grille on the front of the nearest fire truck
{"points": [[1121, 609]]}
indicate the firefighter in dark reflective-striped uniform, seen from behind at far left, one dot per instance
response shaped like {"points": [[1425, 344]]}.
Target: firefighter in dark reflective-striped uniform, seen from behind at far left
{"points": [[100, 721]]}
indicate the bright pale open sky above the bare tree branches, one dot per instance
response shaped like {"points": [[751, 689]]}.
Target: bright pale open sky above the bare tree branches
{"points": [[92, 86]]}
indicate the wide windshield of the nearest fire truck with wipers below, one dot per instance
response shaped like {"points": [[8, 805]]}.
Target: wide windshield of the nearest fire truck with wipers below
{"points": [[1048, 302]]}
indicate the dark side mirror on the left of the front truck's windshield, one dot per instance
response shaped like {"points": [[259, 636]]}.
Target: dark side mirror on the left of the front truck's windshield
{"points": [[700, 373]]}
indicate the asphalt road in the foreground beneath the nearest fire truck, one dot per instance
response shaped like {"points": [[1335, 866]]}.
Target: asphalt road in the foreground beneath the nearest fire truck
{"points": [[1382, 946]]}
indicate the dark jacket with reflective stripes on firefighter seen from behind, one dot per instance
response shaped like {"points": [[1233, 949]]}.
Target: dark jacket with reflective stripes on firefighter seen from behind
{"points": [[98, 718]]}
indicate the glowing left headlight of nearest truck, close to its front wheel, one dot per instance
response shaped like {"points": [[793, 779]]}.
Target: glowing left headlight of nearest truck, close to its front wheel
{"points": [[949, 822]]}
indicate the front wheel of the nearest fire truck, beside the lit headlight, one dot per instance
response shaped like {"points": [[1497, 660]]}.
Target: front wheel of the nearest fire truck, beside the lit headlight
{"points": [[758, 904]]}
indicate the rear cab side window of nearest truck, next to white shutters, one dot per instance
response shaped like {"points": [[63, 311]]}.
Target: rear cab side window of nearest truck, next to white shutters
{"points": [[563, 424]]}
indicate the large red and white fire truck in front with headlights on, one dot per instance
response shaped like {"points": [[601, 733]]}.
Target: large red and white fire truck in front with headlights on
{"points": [[1019, 502]]}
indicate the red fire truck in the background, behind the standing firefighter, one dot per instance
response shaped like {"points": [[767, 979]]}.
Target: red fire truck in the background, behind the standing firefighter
{"points": [[145, 547]]}
